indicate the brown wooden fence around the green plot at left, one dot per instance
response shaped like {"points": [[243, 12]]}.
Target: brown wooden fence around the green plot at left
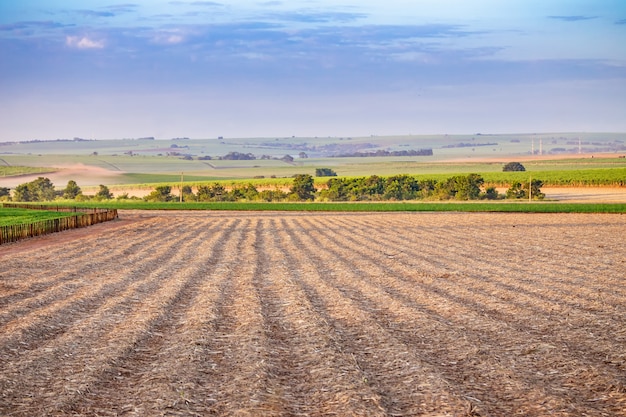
{"points": [[83, 218]]}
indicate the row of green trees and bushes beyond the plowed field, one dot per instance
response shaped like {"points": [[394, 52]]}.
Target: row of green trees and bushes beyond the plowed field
{"points": [[373, 188]]}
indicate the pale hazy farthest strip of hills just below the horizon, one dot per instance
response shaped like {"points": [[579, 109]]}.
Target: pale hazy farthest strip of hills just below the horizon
{"points": [[444, 146]]}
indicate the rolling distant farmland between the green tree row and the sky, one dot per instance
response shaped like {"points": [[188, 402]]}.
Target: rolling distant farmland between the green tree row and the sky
{"points": [[146, 163]]}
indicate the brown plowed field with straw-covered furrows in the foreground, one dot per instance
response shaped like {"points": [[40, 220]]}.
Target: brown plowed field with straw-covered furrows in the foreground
{"points": [[287, 314]]}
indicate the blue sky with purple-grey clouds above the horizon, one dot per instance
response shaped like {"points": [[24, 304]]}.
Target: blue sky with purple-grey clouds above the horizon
{"points": [[106, 69]]}
